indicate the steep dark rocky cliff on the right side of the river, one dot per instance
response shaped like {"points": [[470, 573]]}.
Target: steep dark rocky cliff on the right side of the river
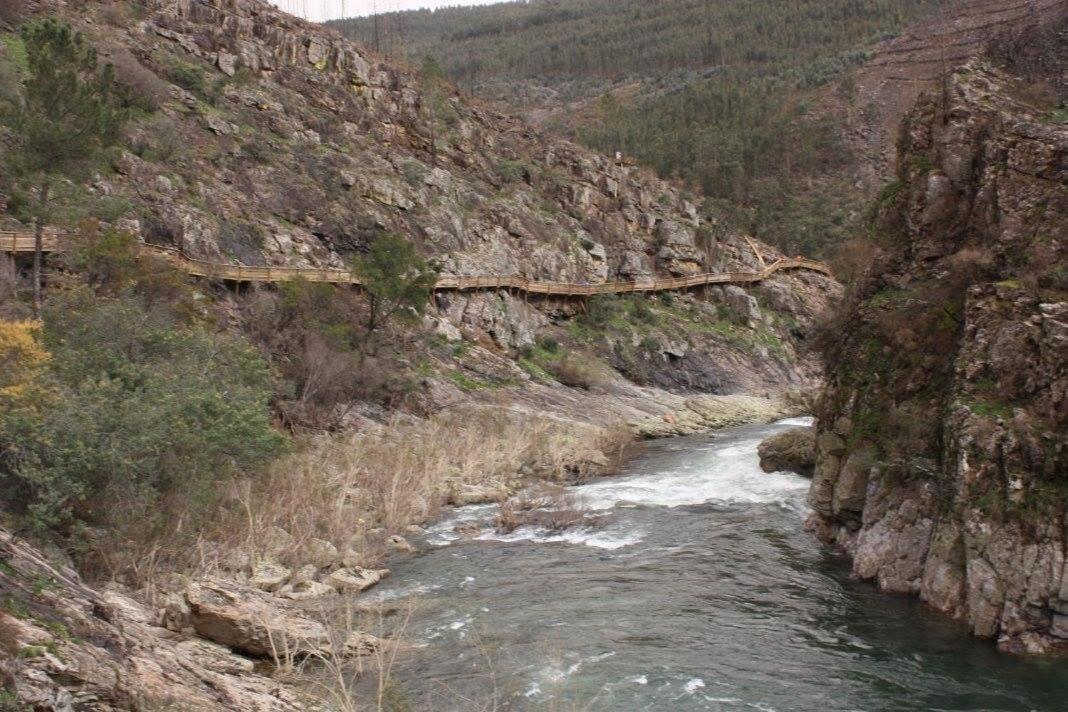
{"points": [[943, 460]]}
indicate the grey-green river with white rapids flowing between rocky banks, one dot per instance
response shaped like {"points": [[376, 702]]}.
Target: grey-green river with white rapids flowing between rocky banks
{"points": [[698, 591]]}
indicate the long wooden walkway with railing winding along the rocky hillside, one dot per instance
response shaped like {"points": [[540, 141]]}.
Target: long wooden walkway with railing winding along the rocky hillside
{"points": [[23, 242]]}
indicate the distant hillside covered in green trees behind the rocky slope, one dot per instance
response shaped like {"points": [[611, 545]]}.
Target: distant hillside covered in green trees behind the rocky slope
{"points": [[719, 94]]}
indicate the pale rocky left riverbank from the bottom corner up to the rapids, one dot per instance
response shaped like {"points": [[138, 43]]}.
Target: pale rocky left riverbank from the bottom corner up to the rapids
{"points": [[232, 634]]}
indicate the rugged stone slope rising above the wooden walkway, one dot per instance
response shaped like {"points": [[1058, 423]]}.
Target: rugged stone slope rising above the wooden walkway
{"points": [[493, 196]]}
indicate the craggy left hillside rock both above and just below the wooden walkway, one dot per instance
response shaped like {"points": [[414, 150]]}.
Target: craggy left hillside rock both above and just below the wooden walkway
{"points": [[277, 143]]}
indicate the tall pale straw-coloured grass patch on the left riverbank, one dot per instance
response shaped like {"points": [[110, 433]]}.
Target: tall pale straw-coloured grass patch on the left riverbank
{"points": [[339, 487]]}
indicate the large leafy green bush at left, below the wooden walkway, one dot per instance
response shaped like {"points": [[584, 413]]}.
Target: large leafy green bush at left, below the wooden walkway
{"points": [[140, 413]]}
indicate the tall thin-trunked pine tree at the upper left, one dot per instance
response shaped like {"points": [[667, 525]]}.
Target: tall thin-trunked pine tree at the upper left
{"points": [[65, 116]]}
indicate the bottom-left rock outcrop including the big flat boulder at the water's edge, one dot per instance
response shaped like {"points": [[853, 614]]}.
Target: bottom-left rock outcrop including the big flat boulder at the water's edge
{"points": [[67, 646]]}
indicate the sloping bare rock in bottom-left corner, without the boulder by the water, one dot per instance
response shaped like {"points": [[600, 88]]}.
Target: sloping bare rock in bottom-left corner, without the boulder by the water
{"points": [[65, 646]]}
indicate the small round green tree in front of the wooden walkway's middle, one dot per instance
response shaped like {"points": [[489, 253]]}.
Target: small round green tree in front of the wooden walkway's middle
{"points": [[399, 282]]}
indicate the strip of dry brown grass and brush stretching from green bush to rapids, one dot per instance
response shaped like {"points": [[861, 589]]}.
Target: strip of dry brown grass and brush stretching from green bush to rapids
{"points": [[355, 489]]}
